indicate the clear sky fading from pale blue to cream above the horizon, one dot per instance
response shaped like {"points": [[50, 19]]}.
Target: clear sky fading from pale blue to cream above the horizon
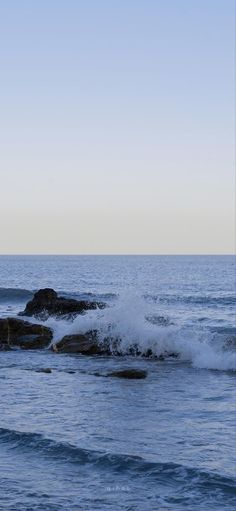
{"points": [[117, 127]]}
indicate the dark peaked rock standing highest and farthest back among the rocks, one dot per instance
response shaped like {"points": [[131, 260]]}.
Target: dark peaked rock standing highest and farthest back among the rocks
{"points": [[46, 301]]}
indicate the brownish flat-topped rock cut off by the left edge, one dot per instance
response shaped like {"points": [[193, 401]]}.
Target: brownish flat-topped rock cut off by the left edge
{"points": [[22, 334]]}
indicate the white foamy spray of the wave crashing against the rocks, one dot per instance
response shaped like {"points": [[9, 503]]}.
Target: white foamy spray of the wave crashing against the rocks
{"points": [[126, 319]]}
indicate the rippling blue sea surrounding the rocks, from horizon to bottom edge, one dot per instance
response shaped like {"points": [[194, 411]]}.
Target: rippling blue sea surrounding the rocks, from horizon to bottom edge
{"points": [[71, 440]]}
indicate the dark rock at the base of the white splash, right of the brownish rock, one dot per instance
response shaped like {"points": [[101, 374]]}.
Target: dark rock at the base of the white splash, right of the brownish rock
{"points": [[86, 344]]}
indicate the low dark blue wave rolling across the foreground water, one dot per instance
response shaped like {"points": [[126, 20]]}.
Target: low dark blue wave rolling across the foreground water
{"points": [[65, 452]]}
